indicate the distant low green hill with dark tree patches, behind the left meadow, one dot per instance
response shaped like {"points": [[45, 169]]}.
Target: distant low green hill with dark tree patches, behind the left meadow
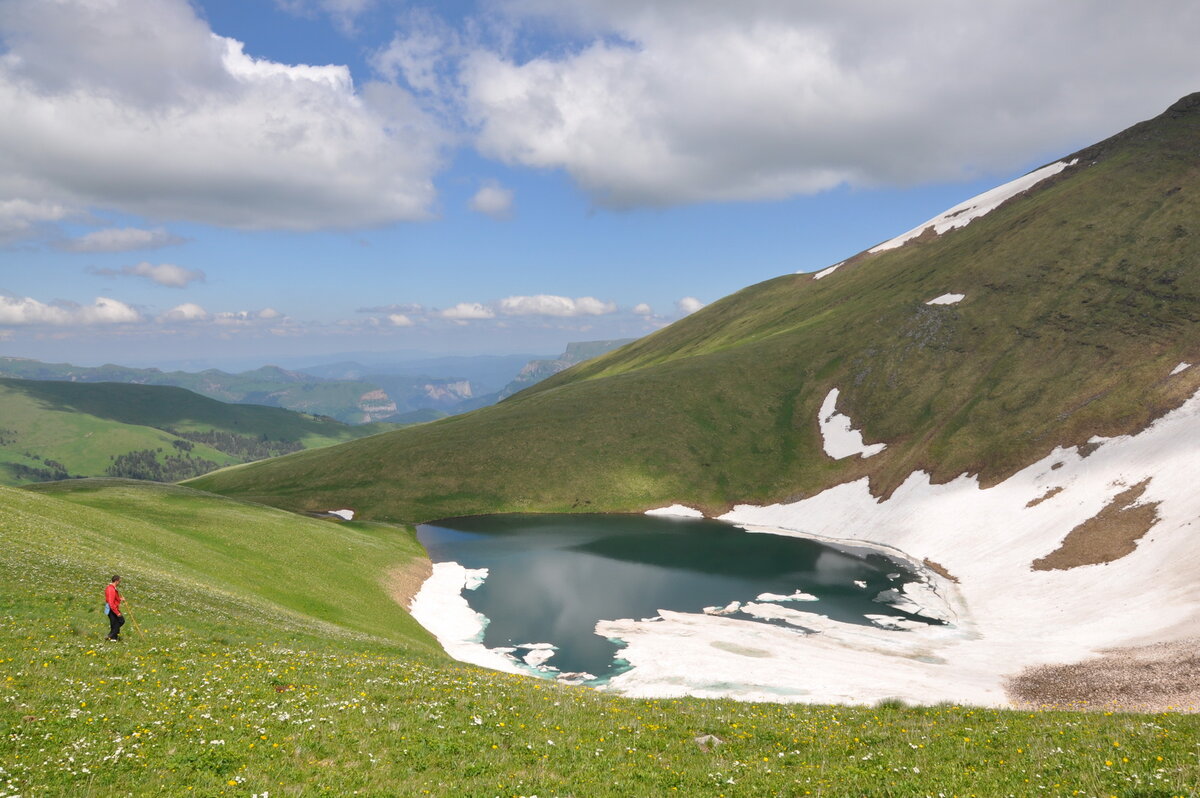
{"points": [[51, 430]]}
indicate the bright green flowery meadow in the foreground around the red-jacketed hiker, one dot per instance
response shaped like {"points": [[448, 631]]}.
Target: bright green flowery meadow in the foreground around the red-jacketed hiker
{"points": [[241, 683]]}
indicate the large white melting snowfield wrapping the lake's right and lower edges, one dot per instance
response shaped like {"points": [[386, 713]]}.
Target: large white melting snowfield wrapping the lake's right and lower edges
{"points": [[1000, 619]]}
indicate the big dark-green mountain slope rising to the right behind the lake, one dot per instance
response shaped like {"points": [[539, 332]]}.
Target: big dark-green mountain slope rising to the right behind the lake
{"points": [[1082, 297]]}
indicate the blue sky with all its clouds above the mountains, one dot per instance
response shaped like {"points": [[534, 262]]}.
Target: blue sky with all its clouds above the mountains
{"points": [[247, 182]]}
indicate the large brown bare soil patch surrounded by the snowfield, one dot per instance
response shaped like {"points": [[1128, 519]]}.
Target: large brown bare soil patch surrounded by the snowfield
{"points": [[1108, 536]]}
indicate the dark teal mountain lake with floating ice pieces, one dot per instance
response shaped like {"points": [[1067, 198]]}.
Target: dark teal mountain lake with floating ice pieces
{"points": [[551, 578]]}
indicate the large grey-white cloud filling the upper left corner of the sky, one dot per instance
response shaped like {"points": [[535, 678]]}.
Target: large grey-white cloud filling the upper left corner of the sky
{"points": [[139, 107]]}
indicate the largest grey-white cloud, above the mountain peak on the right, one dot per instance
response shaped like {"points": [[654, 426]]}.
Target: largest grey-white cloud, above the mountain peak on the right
{"points": [[671, 101]]}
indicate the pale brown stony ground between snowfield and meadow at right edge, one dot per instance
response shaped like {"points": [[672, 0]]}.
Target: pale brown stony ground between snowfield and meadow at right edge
{"points": [[1163, 677]]}
